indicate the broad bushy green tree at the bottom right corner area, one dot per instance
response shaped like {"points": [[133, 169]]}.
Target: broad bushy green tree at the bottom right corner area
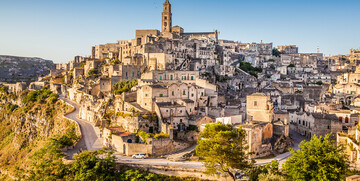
{"points": [[319, 159]]}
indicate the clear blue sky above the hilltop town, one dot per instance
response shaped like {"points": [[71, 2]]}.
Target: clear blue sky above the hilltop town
{"points": [[61, 29]]}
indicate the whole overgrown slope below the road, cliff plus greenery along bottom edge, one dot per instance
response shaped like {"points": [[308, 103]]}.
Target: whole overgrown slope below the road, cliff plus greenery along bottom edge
{"points": [[33, 133]]}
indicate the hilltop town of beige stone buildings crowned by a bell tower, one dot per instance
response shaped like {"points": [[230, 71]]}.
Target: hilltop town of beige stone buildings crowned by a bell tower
{"points": [[154, 93]]}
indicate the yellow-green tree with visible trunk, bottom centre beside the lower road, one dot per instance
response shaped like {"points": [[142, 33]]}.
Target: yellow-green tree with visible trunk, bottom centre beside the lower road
{"points": [[223, 149]]}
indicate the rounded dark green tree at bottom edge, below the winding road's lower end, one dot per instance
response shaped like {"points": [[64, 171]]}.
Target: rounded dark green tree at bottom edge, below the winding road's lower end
{"points": [[94, 165]]}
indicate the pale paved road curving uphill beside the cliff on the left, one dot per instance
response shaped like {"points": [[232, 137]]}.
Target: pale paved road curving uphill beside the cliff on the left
{"points": [[90, 139]]}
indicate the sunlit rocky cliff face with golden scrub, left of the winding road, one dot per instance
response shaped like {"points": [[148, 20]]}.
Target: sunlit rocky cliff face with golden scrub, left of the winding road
{"points": [[29, 122]]}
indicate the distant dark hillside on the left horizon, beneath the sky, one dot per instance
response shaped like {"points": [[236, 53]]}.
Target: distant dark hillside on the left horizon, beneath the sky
{"points": [[15, 69]]}
